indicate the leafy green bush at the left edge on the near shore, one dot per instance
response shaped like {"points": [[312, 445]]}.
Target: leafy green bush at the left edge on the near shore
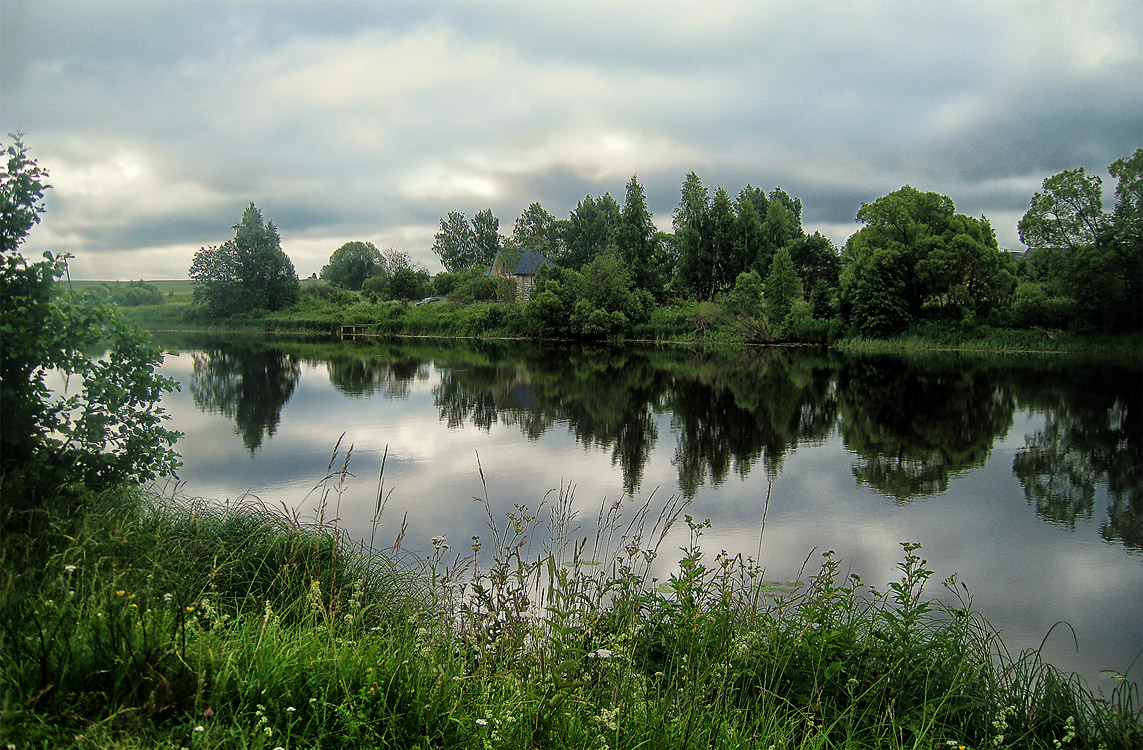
{"points": [[106, 427]]}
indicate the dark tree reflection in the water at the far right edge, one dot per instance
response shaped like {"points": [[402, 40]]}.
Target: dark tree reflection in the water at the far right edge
{"points": [[1093, 435]]}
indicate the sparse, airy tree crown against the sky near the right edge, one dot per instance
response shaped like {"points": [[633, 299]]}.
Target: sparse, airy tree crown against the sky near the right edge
{"points": [[1068, 214]]}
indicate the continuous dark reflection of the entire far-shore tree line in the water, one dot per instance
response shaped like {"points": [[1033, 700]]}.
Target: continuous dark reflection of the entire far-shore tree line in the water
{"points": [[914, 424]]}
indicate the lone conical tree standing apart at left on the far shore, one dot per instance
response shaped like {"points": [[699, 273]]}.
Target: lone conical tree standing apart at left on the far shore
{"points": [[249, 273]]}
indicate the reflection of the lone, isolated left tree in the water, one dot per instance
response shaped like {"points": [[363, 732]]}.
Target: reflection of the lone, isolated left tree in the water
{"points": [[250, 386]]}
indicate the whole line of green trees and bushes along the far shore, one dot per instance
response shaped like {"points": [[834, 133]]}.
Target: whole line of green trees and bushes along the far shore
{"points": [[914, 259]]}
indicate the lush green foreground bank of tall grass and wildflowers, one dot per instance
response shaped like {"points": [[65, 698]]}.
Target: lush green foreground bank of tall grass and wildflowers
{"points": [[134, 621]]}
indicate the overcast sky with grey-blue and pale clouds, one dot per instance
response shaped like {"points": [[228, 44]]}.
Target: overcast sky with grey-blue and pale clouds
{"points": [[159, 122]]}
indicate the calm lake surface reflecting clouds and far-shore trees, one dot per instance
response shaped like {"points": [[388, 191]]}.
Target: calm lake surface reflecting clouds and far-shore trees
{"points": [[1021, 474]]}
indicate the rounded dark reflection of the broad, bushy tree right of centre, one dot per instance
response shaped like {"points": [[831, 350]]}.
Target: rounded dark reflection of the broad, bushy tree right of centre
{"points": [[917, 424]]}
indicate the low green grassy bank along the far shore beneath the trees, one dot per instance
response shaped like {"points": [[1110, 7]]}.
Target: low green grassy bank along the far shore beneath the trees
{"points": [[686, 324]]}
